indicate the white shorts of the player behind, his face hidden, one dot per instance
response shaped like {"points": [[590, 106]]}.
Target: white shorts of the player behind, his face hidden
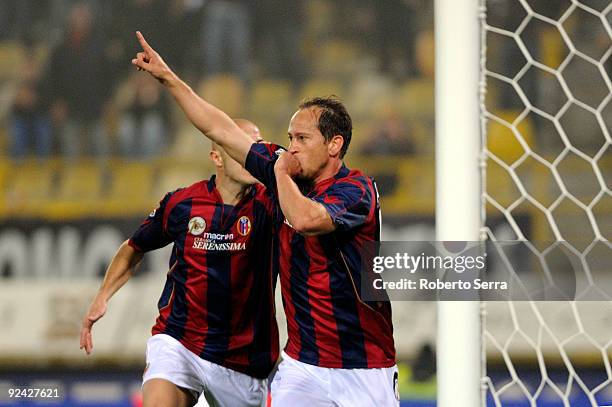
{"points": [[168, 359]]}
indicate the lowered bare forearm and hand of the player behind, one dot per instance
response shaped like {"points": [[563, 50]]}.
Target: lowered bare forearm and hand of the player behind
{"points": [[118, 273]]}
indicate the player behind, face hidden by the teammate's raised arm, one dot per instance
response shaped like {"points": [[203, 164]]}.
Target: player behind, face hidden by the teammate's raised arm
{"points": [[216, 332]]}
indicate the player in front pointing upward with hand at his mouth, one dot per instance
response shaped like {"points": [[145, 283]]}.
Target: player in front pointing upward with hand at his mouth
{"points": [[340, 349]]}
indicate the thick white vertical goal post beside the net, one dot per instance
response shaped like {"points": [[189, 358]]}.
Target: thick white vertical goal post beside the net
{"points": [[457, 52]]}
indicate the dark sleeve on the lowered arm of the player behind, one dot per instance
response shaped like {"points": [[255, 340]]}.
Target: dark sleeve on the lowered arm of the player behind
{"points": [[152, 233]]}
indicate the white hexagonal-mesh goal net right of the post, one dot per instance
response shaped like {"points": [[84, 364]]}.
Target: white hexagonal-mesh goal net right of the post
{"points": [[547, 169]]}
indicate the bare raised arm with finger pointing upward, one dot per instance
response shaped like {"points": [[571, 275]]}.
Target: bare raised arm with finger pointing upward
{"points": [[211, 121]]}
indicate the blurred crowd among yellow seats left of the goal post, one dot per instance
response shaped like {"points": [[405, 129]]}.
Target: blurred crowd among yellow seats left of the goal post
{"points": [[71, 91]]}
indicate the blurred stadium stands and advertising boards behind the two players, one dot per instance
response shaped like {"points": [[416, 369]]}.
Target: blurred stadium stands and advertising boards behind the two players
{"points": [[89, 146]]}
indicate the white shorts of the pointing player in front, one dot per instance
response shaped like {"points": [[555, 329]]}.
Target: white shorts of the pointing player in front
{"points": [[298, 384]]}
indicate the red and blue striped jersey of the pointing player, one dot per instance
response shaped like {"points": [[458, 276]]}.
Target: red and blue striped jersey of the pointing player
{"points": [[328, 323]]}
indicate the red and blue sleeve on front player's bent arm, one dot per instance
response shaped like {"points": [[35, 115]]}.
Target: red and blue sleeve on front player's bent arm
{"points": [[348, 202]]}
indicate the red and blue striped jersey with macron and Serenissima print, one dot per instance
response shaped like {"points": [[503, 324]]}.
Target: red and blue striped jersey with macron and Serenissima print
{"points": [[218, 300]]}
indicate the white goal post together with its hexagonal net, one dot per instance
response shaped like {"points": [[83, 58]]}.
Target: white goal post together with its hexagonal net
{"points": [[524, 154]]}
